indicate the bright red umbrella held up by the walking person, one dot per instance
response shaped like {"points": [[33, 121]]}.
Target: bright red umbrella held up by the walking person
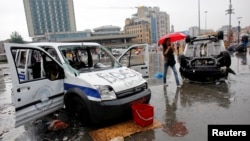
{"points": [[175, 36]]}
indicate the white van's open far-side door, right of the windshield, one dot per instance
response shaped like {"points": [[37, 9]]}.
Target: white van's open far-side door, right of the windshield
{"points": [[136, 57]]}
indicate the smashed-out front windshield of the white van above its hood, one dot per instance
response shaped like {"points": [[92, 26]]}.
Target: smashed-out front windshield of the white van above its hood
{"points": [[86, 58]]}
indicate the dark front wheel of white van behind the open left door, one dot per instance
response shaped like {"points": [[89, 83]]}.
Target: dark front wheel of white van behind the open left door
{"points": [[76, 107]]}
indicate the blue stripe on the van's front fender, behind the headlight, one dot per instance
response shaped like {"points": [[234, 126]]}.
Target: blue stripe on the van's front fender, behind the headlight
{"points": [[89, 91]]}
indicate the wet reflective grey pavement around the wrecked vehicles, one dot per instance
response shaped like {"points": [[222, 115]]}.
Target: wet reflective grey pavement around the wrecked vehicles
{"points": [[184, 112]]}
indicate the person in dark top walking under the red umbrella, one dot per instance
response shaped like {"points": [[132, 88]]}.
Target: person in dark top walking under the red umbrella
{"points": [[169, 61]]}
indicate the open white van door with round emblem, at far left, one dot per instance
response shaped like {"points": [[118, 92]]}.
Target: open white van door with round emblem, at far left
{"points": [[40, 94]]}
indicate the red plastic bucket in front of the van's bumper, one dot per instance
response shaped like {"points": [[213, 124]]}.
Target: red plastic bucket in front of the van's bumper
{"points": [[143, 114]]}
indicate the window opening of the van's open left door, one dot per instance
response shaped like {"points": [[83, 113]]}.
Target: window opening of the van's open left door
{"points": [[33, 65]]}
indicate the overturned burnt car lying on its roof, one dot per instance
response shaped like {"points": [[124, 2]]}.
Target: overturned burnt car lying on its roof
{"points": [[205, 59]]}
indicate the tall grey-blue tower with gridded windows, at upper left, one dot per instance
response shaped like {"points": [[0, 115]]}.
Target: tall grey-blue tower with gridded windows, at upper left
{"points": [[49, 17]]}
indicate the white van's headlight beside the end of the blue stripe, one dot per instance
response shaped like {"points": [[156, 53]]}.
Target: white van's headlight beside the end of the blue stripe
{"points": [[106, 92]]}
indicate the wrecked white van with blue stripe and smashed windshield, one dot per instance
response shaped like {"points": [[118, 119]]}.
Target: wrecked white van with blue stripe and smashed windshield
{"points": [[84, 78]]}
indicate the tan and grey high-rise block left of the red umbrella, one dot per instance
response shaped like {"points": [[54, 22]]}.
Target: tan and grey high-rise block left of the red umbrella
{"points": [[156, 24]]}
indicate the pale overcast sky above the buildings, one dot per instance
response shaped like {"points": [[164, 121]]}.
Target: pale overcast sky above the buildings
{"points": [[90, 14]]}
